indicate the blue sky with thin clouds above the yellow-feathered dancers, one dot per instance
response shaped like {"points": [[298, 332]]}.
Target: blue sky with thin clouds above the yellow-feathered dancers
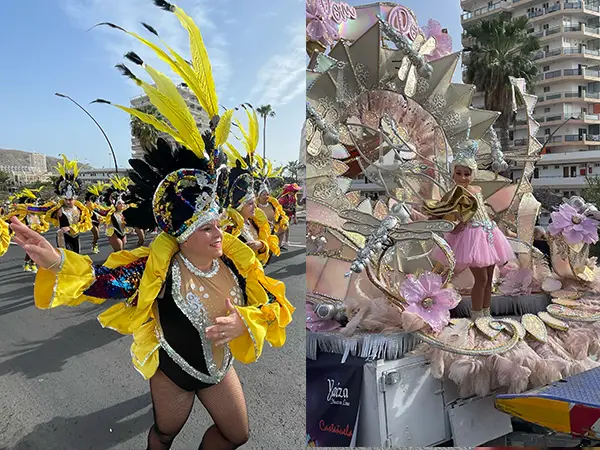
{"points": [[256, 47]]}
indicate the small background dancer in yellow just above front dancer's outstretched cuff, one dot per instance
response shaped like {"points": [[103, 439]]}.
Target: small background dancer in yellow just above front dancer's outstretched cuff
{"points": [[69, 215]]}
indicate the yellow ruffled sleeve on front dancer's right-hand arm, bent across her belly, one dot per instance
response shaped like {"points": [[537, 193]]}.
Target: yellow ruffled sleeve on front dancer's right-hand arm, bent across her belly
{"points": [[268, 312]]}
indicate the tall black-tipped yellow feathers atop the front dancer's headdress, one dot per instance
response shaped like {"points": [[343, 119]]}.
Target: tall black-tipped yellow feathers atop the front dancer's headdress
{"points": [[164, 94]]}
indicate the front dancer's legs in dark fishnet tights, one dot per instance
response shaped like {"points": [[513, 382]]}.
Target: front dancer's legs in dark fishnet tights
{"points": [[224, 402]]}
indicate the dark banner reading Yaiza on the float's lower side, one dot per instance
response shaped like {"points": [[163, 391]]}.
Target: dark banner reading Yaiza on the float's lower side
{"points": [[333, 394]]}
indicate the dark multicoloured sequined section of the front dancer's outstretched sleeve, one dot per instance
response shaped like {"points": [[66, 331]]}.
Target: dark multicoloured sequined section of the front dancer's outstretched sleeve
{"points": [[119, 283]]}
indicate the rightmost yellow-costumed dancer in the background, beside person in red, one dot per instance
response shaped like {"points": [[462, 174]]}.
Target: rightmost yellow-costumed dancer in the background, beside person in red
{"points": [[268, 204]]}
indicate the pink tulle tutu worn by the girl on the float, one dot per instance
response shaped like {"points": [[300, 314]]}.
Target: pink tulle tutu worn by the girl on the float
{"points": [[472, 248]]}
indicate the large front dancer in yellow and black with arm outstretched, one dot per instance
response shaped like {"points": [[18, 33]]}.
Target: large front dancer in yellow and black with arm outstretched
{"points": [[197, 297]]}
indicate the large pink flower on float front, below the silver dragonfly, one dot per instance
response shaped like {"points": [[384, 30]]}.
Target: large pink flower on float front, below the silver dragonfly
{"points": [[428, 300]]}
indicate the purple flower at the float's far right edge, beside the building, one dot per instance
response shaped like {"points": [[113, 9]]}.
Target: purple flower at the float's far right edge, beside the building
{"points": [[575, 228]]}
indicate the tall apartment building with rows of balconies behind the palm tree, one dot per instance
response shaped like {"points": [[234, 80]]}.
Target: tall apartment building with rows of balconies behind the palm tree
{"points": [[568, 87]]}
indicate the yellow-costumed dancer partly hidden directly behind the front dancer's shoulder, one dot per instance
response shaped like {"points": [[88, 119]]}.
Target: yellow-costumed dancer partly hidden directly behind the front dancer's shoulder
{"points": [[244, 219]]}
